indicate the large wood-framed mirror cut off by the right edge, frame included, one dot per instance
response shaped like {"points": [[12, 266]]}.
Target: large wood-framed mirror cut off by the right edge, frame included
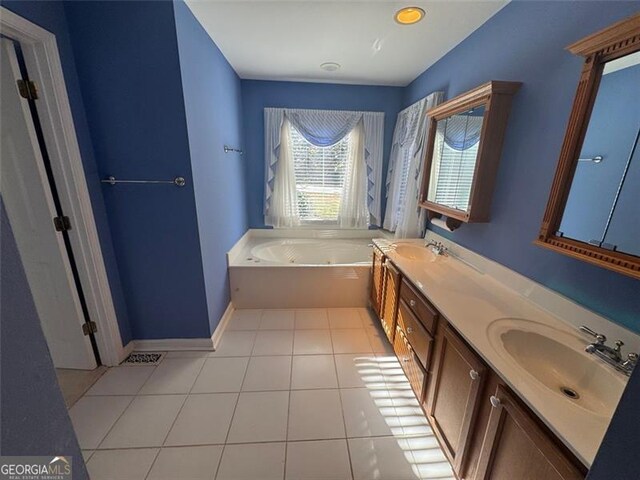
{"points": [[593, 211]]}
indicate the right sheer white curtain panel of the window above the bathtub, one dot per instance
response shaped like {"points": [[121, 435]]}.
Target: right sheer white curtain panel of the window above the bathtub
{"points": [[353, 209]]}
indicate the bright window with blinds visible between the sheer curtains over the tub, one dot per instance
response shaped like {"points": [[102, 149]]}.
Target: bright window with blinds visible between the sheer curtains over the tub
{"points": [[320, 173]]}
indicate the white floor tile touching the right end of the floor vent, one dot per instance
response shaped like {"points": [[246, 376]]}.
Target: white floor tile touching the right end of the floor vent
{"points": [[173, 376]]}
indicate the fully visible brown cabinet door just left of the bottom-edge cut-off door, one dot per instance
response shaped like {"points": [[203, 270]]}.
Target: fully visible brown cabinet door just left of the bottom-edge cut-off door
{"points": [[454, 394]]}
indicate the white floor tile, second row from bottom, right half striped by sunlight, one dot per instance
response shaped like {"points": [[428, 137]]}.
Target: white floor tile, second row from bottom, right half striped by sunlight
{"points": [[369, 413]]}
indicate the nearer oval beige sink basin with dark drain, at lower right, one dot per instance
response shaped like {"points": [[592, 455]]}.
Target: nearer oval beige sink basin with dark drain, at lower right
{"points": [[557, 360]]}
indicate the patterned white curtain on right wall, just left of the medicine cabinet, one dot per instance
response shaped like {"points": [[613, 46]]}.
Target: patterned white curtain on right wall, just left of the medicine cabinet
{"points": [[404, 178]]}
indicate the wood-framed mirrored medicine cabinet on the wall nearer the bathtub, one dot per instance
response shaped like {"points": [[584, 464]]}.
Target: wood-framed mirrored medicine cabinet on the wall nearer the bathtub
{"points": [[463, 150]]}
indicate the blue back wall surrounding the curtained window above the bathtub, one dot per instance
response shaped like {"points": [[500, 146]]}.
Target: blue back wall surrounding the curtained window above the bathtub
{"points": [[256, 95]]}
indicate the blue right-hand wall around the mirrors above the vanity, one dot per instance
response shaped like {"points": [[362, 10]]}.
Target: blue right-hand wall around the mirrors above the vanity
{"points": [[526, 42]]}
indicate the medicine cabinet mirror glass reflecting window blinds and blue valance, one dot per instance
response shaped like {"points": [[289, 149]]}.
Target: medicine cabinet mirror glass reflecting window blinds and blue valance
{"points": [[454, 158]]}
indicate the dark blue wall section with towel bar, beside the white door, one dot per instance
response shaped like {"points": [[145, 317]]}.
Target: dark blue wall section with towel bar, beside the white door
{"points": [[127, 60]]}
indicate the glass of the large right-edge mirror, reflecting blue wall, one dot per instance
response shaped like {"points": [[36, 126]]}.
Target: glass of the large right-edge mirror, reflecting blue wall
{"points": [[601, 208]]}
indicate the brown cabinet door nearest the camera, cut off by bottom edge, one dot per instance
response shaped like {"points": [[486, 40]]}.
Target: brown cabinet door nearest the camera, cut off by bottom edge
{"points": [[515, 446]]}
